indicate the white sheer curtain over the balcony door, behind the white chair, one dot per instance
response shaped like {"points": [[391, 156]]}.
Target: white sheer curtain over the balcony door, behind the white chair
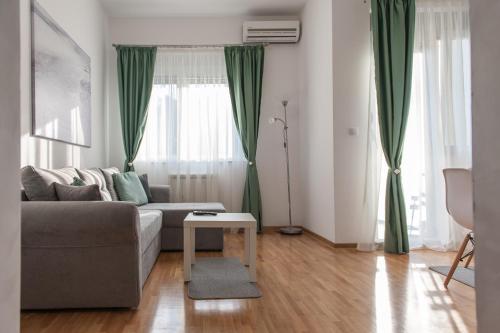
{"points": [[439, 126]]}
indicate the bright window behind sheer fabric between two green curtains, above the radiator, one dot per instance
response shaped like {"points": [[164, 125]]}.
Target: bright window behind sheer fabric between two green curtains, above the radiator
{"points": [[190, 117]]}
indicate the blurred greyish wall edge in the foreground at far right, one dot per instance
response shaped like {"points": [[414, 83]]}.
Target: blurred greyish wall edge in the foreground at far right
{"points": [[486, 158]]}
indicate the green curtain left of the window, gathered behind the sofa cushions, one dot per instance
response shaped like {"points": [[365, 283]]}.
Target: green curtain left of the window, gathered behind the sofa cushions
{"points": [[135, 81]]}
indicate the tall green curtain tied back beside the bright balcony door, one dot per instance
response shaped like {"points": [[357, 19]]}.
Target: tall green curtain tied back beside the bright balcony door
{"points": [[393, 24]]}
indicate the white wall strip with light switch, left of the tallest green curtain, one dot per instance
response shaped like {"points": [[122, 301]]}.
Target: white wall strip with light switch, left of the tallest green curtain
{"points": [[351, 65]]}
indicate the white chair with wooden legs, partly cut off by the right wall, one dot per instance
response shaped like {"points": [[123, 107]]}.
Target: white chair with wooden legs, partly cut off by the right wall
{"points": [[459, 206]]}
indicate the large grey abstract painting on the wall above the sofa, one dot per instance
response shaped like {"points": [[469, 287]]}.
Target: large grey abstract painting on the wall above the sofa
{"points": [[60, 76]]}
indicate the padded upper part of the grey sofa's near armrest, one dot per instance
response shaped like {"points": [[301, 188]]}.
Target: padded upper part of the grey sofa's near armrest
{"points": [[79, 224]]}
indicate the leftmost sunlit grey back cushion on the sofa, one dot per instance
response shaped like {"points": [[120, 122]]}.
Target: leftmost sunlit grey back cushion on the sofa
{"points": [[39, 183]]}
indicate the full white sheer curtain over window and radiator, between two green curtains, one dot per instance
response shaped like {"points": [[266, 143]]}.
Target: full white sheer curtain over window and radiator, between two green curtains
{"points": [[190, 141]]}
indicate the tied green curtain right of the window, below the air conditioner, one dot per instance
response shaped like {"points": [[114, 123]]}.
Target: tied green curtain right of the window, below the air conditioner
{"points": [[245, 65]]}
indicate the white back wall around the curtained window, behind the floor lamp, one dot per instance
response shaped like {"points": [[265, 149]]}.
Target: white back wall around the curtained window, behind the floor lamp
{"points": [[280, 81]]}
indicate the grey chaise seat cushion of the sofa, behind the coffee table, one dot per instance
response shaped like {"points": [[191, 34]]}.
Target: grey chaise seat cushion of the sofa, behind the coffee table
{"points": [[175, 213]]}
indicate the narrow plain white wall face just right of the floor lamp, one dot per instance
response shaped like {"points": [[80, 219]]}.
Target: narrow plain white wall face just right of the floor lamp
{"points": [[316, 118]]}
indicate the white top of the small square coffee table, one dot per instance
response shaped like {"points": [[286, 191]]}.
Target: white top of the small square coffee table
{"points": [[224, 220]]}
